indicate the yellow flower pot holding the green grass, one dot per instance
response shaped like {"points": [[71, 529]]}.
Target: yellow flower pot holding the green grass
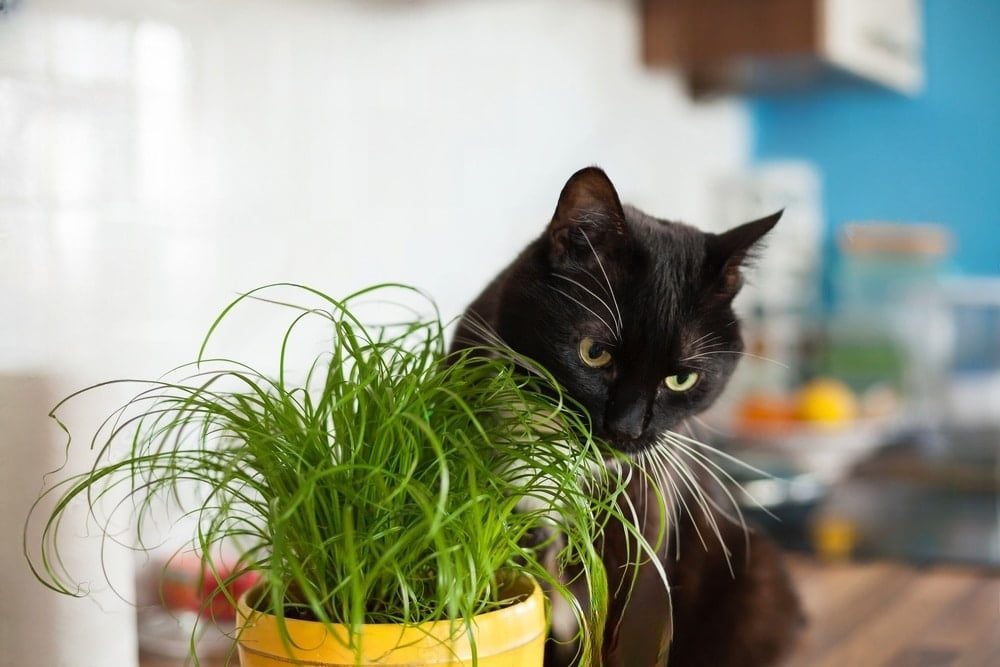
{"points": [[510, 637]]}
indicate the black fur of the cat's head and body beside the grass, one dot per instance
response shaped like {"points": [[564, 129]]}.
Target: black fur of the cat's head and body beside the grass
{"points": [[657, 295]]}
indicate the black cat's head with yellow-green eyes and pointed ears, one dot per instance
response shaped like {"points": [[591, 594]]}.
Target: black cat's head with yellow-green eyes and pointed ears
{"points": [[633, 315]]}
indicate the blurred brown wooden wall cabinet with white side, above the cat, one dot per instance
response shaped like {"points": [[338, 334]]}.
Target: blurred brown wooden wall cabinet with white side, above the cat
{"points": [[758, 45]]}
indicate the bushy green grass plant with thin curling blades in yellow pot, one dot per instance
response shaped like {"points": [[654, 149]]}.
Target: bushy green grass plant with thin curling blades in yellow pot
{"points": [[384, 482]]}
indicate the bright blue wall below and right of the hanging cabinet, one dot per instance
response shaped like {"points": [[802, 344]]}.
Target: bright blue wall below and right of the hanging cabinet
{"points": [[933, 158]]}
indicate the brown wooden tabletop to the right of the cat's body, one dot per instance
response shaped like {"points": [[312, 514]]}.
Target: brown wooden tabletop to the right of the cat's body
{"points": [[885, 615]]}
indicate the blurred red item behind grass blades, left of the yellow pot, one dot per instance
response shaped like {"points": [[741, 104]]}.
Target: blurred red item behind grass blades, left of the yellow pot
{"points": [[189, 584]]}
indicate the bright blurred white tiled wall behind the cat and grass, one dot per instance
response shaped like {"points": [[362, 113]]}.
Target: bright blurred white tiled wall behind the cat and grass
{"points": [[158, 157]]}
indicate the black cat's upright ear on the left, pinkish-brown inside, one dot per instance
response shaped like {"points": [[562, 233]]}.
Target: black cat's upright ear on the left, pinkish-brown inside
{"points": [[589, 218]]}
